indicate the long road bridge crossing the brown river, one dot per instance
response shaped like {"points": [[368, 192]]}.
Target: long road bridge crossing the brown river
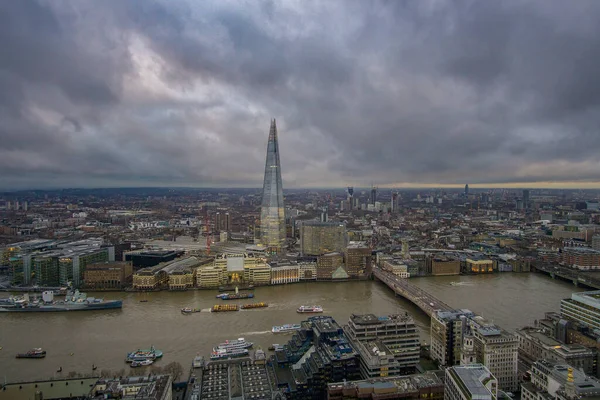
{"points": [[402, 287]]}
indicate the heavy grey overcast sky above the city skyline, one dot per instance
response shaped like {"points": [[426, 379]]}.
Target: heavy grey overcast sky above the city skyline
{"points": [[397, 93]]}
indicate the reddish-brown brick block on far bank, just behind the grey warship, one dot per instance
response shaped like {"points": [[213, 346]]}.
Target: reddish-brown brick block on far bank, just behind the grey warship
{"points": [[108, 275]]}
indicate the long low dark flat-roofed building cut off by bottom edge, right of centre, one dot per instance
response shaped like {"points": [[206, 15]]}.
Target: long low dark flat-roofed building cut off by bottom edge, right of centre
{"points": [[411, 387]]}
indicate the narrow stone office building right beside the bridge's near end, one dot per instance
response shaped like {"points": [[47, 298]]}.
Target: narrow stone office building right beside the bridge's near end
{"points": [[447, 331]]}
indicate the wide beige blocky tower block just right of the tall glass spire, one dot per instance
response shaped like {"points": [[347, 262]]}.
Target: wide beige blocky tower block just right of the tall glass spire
{"points": [[318, 237]]}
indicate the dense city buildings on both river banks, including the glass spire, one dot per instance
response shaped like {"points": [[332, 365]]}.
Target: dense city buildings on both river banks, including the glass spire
{"points": [[238, 239]]}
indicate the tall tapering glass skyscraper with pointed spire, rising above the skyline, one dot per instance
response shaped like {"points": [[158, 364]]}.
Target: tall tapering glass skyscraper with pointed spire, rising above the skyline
{"points": [[272, 213]]}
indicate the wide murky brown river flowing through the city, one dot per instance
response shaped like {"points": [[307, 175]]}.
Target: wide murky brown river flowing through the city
{"points": [[77, 340]]}
